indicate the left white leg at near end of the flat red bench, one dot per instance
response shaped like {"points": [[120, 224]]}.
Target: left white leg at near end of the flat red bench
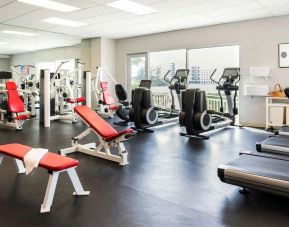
{"points": [[49, 194]]}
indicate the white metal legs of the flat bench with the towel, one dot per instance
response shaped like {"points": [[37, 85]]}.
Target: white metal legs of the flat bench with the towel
{"points": [[52, 182]]}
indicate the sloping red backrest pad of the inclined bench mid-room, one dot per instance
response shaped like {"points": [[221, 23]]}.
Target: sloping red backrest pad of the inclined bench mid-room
{"points": [[95, 121]]}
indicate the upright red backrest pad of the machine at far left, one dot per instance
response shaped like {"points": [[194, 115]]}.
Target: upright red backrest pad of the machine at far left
{"points": [[15, 103]]}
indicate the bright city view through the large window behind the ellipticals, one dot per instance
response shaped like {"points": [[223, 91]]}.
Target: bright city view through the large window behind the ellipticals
{"points": [[201, 63]]}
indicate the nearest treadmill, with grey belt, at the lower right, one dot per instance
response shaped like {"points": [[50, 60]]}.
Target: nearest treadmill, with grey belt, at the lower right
{"points": [[262, 171]]}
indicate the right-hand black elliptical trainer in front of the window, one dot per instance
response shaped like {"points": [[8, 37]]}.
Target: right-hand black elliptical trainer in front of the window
{"points": [[197, 118]]}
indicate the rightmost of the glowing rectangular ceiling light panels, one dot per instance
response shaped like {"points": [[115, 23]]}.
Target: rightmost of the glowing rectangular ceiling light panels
{"points": [[132, 7]]}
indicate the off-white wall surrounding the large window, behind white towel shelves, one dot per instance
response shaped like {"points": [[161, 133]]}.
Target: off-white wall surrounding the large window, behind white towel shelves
{"points": [[258, 42]]}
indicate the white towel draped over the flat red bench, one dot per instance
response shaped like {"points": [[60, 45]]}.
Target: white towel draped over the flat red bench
{"points": [[32, 158]]}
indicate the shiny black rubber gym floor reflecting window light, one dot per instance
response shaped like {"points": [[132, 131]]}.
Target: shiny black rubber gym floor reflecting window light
{"points": [[170, 181]]}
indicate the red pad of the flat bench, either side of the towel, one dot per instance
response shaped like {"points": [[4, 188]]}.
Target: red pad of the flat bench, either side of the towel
{"points": [[50, 161]]}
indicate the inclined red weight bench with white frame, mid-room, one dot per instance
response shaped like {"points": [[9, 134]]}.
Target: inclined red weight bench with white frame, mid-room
{"points": [[106, 134]]}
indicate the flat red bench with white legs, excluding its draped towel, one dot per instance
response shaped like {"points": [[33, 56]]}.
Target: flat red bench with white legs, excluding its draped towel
{"points": [[54, 163]]}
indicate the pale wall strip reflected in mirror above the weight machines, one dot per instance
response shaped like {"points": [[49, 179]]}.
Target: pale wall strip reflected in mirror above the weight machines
{"points": [[33, 58]]}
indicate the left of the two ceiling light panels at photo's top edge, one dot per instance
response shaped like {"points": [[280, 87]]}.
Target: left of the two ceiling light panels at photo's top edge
{"points": [[50, 5]]}
